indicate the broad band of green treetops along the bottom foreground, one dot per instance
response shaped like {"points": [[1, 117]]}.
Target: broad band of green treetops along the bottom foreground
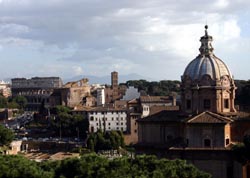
{"points": [[92, 166]]}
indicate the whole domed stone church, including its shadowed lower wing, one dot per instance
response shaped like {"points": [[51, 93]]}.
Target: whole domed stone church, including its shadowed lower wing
{"points": [[207, 123]]}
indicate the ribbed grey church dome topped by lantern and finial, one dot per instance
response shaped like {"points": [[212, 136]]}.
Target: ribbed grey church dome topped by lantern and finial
{"points": [[206, 63]]}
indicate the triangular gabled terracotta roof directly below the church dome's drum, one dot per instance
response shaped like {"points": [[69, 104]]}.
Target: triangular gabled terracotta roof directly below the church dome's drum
{"points": [[208, 118]]}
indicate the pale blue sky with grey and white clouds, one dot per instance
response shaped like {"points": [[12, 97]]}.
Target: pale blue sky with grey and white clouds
{"points": [[153, 38]]}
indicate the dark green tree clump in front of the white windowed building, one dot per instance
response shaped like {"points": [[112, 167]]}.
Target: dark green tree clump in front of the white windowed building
{"points": [[100, 140]]}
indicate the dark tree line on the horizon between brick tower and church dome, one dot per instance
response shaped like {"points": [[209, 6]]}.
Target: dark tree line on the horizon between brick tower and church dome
{"points": [[164, 87]]}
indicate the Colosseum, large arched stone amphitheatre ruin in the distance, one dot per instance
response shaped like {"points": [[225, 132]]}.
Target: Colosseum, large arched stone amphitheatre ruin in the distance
{"points": [[36, 90]]}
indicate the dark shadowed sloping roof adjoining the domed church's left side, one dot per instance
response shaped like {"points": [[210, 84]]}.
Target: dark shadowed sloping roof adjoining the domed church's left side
{"points": [[163, 116]]}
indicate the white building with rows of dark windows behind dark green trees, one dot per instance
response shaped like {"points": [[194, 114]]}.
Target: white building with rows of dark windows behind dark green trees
{"points": [[107, 119]]}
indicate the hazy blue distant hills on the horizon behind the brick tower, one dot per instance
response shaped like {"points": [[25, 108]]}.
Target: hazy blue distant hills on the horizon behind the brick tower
{"points": [[106, 79]]}
